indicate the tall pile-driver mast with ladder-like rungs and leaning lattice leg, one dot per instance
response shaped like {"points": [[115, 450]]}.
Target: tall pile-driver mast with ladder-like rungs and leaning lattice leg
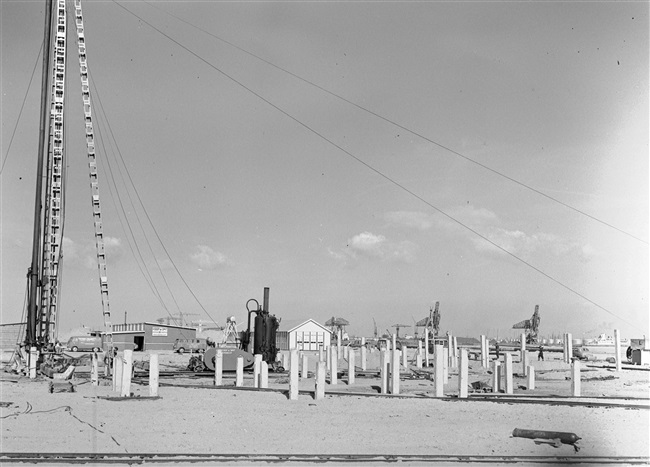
{"points": [[44, 272]]}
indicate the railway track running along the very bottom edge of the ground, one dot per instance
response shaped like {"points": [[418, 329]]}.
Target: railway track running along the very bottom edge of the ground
{"points": [[177, 458]]}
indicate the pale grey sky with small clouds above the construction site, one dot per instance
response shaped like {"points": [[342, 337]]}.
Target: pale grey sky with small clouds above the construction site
{"points": [[254, 178]]}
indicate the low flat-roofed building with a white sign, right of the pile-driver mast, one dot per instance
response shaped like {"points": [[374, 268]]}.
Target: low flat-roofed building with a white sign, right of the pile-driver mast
{"points": [[149, 336]]}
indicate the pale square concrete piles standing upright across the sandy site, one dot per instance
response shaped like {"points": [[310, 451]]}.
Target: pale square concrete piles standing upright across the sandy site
{"points": [[391, 361]]}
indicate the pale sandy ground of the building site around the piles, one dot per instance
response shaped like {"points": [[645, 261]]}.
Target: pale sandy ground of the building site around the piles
{"points": [[228, 420]]}
